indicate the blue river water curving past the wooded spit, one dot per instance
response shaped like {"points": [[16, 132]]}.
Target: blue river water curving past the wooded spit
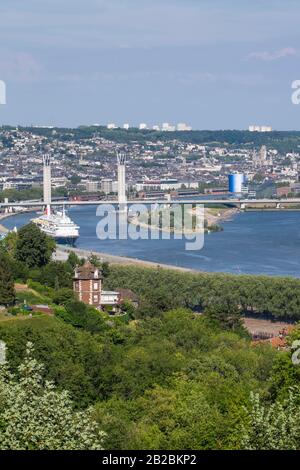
{"points": [[251, 243]]}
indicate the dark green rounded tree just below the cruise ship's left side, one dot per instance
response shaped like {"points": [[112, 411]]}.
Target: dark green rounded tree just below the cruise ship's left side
{"points": [[33, 247]]}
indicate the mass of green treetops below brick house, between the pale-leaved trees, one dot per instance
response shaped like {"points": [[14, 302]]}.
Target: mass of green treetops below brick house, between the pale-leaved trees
{"points": [[161, 383]]}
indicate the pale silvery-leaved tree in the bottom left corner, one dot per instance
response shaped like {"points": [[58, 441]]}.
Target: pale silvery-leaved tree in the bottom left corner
{"points": [[35, 416]]}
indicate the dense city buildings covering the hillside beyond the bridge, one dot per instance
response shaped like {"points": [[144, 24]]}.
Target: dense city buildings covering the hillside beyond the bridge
{"points": [[84, 161]]}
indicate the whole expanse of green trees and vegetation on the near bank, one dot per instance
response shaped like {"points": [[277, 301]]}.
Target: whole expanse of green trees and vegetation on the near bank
{"points": [[178, 372]]}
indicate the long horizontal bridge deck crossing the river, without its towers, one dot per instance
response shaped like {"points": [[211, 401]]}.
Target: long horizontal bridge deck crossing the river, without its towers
{"points": [[241, 203]]}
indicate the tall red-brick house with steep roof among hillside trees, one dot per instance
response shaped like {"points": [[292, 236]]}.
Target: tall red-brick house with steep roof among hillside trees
{"points": [[87, 284]]}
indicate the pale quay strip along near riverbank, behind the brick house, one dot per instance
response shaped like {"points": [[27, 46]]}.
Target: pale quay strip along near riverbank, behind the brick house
{"points": [[62, 252]]}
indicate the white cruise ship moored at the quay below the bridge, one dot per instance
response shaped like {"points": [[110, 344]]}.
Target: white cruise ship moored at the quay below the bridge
{"points": [[58, 226]]}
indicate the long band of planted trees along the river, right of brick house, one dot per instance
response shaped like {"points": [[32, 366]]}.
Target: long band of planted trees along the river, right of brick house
{"points": [[161, 289]]}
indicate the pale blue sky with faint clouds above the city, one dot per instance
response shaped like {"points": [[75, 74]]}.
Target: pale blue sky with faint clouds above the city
{"points": [[214, 64]]}
